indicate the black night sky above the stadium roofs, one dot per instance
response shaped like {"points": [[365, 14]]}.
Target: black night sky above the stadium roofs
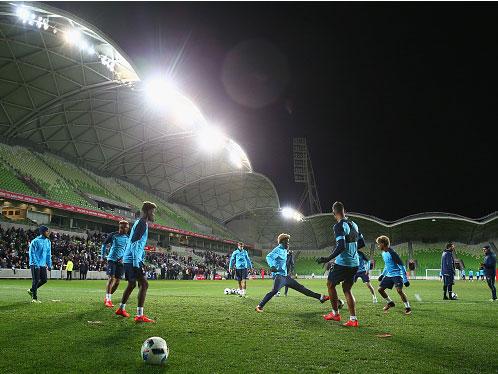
{"points": [[398, 102]]}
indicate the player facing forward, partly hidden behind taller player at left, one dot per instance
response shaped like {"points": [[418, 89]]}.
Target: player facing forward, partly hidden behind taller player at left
{"points": [[118, 241]]}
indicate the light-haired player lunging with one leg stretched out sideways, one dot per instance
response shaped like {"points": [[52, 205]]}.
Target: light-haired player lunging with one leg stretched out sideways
{"points": [[277, 260]]}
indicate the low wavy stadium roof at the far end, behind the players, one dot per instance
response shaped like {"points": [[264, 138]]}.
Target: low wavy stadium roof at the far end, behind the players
{"points": [[315, 232]]}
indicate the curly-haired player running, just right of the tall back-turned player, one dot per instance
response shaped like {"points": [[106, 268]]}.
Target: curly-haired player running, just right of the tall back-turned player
{"points": [[394, 274]]}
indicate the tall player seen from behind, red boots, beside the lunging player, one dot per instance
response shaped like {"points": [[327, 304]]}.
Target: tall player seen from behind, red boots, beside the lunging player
{"points": [[348, 241]]}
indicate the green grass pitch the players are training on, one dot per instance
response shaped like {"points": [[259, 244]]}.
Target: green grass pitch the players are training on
{"points": [[209, 332]]}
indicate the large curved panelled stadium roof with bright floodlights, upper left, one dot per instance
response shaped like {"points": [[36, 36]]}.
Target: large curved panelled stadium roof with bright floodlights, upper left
{"points": [[68, 89]]}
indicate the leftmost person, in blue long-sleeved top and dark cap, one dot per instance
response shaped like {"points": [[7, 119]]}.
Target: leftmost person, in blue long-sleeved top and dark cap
{"points": [[40, 260]]}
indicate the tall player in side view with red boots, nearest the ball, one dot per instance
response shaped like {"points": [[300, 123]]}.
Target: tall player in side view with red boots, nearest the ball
{"points": [[133, 260]]}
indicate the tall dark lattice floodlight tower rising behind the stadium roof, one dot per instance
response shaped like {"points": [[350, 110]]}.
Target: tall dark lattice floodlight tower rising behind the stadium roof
{"points": [[303, 173]]}
